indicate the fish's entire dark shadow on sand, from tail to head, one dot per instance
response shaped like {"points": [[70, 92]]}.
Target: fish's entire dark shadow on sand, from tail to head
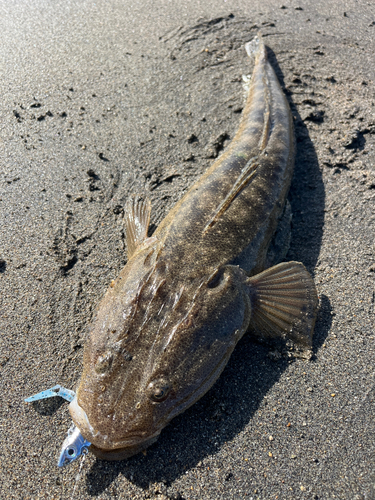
{"points": [[230, 404]]}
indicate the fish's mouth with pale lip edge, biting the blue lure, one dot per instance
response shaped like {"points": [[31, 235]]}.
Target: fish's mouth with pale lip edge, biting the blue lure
{"points": [[102, 444]]}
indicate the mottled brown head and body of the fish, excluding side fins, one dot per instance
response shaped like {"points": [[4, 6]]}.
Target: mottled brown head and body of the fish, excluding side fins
{"points": [[168, 324]]}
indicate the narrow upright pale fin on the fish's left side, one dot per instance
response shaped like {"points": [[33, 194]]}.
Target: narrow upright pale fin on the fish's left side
{"points": [[137, 220]]}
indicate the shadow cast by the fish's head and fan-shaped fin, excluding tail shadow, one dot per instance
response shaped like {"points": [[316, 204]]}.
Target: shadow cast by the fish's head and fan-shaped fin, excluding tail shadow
{"points": [[214, 420]]}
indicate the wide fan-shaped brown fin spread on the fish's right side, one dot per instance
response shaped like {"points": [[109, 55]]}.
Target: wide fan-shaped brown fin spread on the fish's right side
{"points": [[284, 303]]}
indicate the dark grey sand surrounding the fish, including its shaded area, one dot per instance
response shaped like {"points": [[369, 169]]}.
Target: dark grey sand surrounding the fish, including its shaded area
{"points": [[102, 99]]}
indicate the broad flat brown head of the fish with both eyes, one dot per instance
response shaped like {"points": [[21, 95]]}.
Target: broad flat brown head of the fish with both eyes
{"points": [[153, 350]]}
